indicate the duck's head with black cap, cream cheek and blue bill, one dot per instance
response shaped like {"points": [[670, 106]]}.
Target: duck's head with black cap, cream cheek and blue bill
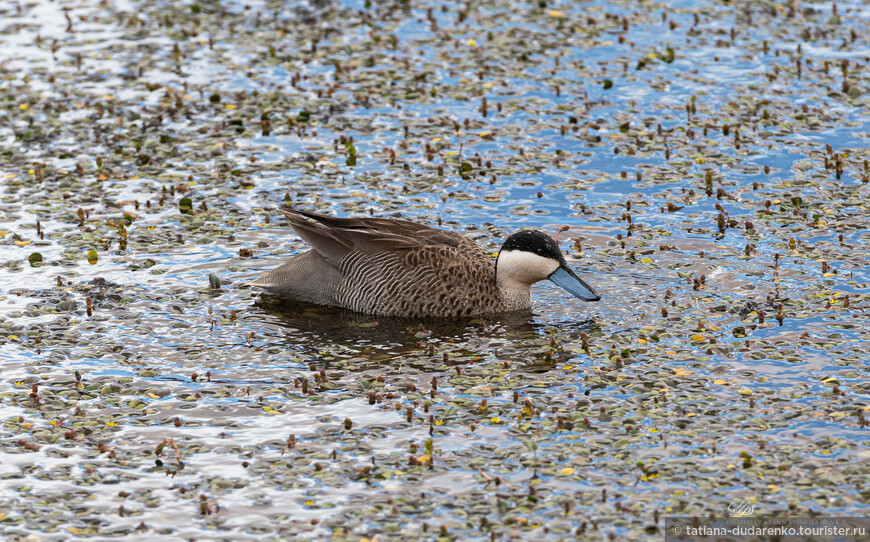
{"points": [[529, 256]]}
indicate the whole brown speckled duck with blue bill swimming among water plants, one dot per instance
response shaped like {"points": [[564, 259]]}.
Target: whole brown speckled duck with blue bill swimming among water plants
{"points": [[396, 267]]}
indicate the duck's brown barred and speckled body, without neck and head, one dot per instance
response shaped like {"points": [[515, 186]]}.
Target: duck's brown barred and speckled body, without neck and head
{"points": [[386, 267]]}
